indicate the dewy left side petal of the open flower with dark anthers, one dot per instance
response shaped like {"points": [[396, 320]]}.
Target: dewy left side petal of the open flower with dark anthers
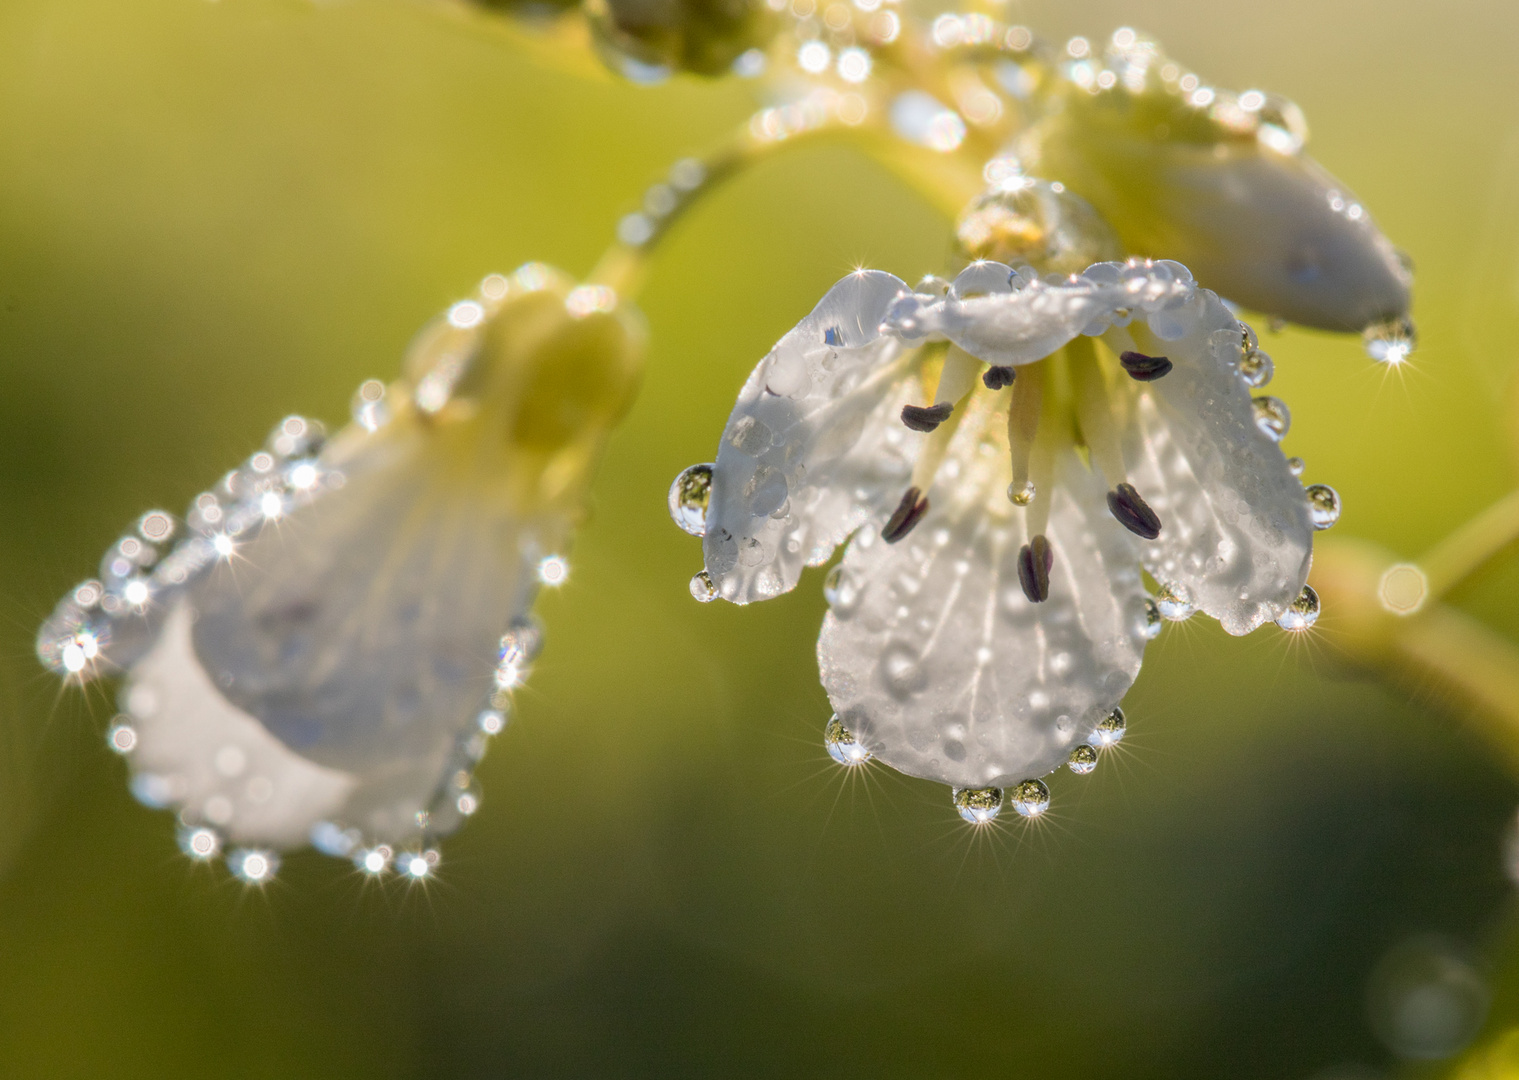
{"points": [[815, 446]]}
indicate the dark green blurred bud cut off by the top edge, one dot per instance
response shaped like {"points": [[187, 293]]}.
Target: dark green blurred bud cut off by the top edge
{"points": [[648, 40]]}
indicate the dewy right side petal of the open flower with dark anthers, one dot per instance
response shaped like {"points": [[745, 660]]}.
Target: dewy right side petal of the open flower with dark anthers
{"points": [[1236, 525]]}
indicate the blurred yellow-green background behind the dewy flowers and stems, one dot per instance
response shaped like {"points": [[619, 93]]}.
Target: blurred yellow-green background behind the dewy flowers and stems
{"points": [[218, 213]]}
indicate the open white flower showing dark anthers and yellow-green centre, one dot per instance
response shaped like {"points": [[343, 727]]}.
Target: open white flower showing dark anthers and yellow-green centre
{"points": [[990, 613]]}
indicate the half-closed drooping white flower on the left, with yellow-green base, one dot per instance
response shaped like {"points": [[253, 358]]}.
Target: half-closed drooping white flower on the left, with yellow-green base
{"points": [[324, 649]]}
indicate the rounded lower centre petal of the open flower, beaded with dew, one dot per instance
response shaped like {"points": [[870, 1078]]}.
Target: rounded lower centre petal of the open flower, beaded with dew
{"points": [[935, 658]]}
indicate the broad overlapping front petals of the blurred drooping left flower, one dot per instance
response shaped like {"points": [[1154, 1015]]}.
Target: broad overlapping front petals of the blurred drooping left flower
{"points": [[335, 669]]}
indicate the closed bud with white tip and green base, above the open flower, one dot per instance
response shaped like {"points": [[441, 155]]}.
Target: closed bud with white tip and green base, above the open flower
{"points": [[1219, 183]]}
